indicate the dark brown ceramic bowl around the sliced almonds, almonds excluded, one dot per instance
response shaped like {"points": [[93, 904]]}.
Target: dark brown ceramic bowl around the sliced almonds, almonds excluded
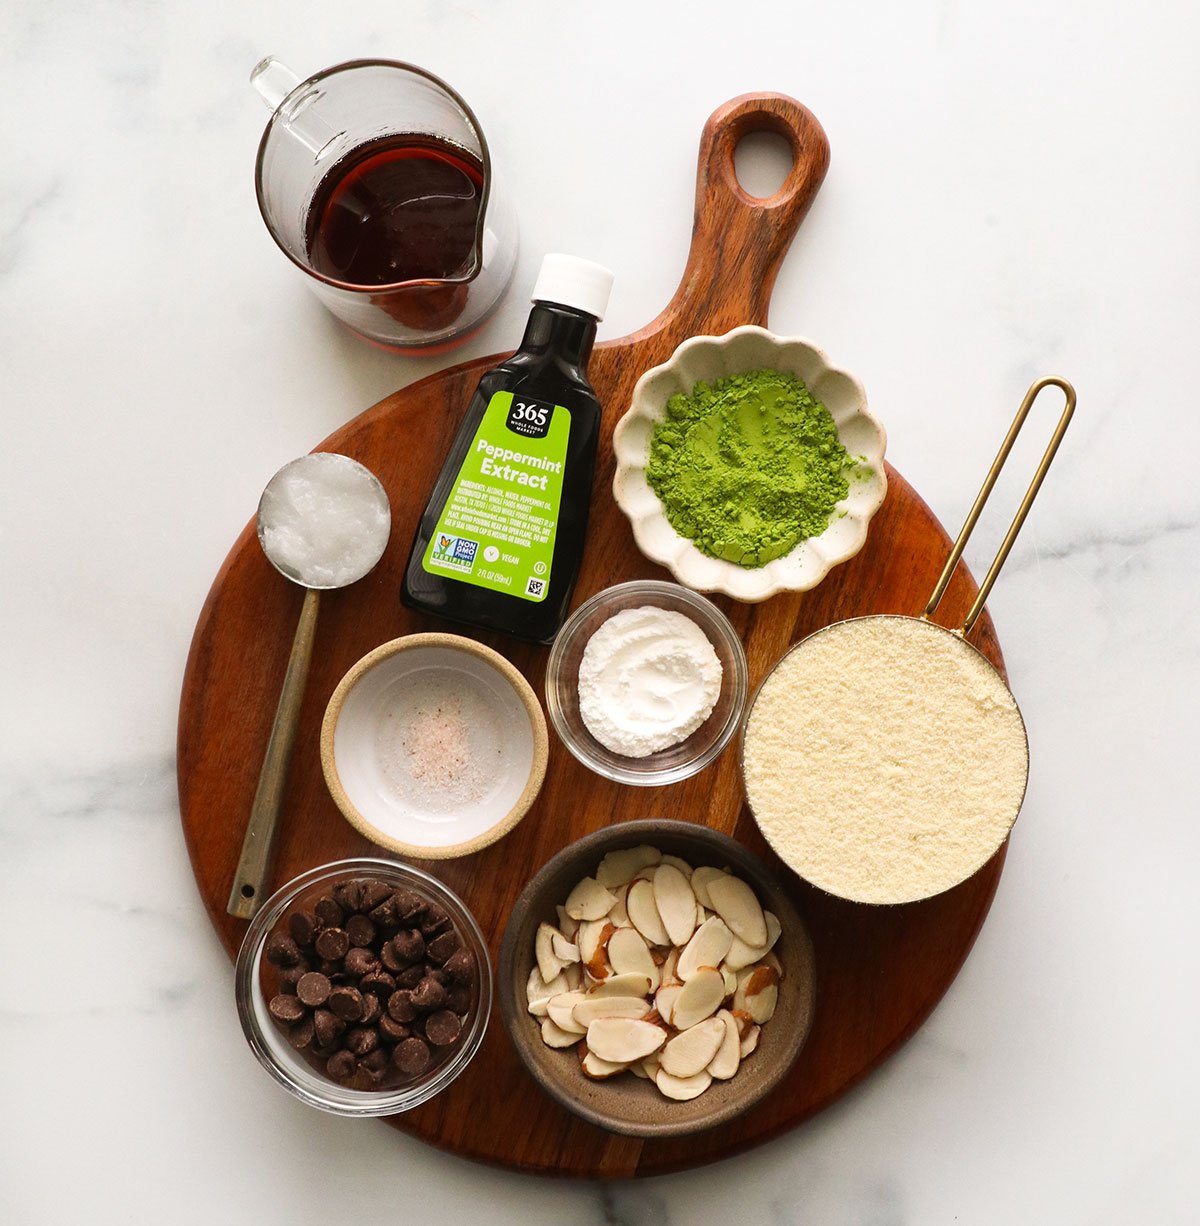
{"points": [[627, 1104]]}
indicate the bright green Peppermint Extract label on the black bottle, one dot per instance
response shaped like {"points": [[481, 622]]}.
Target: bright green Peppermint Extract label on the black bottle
{"points": [[498, 527]]}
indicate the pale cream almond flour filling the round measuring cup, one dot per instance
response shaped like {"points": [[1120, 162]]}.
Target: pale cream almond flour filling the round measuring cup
{"points": [[886, 760]]}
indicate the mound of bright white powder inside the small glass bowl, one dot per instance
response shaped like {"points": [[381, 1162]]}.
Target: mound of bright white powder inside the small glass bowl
{"points": [[649, 679]]}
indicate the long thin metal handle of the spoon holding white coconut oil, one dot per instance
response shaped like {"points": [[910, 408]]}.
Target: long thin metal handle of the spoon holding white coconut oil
{"points": [[252, 878]]}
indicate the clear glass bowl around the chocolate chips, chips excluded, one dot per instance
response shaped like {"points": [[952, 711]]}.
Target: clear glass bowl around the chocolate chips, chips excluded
{"points": [[290, 1067]]}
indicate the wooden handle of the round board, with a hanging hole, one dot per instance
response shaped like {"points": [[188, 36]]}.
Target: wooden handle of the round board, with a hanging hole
{"points": [[739, 241]]}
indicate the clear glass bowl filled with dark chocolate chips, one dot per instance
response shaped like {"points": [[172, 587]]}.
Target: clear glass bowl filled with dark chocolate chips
{"points": [[365, 988]]}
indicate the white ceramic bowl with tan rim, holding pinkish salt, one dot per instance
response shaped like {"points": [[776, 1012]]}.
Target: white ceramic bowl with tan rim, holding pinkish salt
{"points": [[435, 746]]}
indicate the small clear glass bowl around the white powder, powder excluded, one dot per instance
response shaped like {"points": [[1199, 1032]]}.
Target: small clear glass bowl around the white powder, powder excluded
{"points": [[667, 766]]}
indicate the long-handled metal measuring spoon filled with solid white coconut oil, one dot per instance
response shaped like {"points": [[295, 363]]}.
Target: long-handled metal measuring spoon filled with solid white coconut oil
{"points": [[324, 523]]}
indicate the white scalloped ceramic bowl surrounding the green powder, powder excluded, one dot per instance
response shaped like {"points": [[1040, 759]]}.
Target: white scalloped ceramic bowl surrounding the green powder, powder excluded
{"points": [[705, 359]]}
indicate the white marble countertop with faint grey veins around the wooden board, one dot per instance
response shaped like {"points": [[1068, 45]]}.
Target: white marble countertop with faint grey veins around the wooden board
{"points": [[1014, 192]]}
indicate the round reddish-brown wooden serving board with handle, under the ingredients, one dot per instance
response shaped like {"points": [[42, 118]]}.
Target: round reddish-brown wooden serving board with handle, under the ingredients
{"points": [[881, 970]]}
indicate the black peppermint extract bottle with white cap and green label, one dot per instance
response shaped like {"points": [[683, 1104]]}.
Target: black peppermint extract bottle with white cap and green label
{"points": [[501, 541]]}
